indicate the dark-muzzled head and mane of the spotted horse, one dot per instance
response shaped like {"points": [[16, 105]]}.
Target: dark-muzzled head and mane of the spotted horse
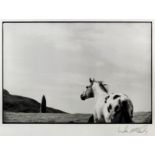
{"points": [[89, 93]]}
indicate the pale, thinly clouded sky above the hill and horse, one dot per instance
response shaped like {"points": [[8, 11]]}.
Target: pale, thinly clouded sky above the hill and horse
{"points": [[57, 60]]}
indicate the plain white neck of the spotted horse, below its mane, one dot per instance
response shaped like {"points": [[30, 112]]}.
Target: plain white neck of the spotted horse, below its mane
{"points": [[99, 94]]}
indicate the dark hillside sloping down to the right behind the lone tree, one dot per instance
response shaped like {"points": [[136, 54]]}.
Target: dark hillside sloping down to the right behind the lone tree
{"points": [[14, 103]]}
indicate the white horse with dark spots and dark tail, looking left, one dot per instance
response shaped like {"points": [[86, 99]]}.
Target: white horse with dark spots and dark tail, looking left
{"points": [[109, 107]]}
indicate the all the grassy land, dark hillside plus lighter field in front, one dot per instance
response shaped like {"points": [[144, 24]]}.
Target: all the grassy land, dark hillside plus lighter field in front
{"points": [[19, 109]]}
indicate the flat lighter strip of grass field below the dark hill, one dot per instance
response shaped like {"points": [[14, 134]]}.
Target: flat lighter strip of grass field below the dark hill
{"points": [[12, 117]]}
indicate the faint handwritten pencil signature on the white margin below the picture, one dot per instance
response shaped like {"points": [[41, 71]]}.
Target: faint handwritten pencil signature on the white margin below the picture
{"points": [[143, 129]]}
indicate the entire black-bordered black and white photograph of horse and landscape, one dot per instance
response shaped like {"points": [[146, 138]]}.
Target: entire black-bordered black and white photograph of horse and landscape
{"points": [[77, 72]]}
